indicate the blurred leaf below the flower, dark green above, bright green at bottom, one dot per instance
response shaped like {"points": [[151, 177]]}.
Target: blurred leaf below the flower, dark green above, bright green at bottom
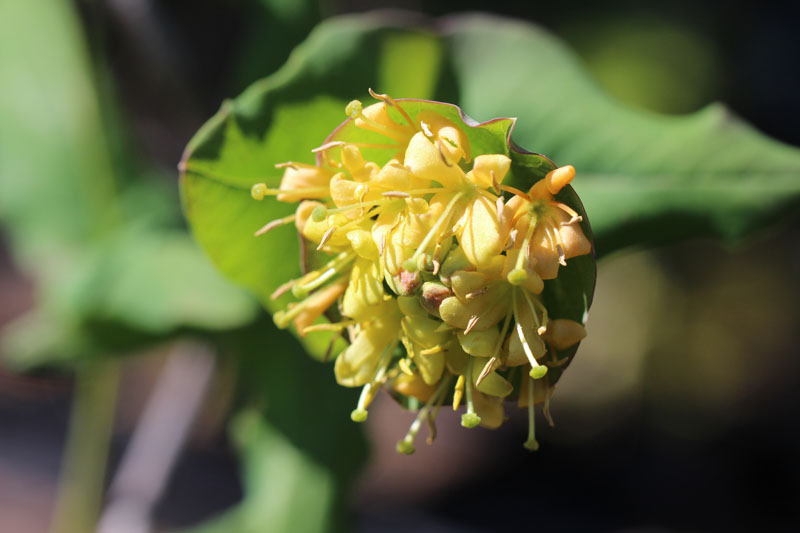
{"points": [[300, 451]]}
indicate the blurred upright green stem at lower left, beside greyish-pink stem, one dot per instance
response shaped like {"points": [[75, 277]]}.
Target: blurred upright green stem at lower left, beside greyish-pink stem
{"points": [[84, 464]]}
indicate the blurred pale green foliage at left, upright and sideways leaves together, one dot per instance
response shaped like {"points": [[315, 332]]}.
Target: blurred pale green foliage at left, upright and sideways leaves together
{"points": [[111, 271]]}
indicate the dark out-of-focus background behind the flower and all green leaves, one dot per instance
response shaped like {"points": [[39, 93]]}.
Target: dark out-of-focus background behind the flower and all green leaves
{"points": [[703, 436]]}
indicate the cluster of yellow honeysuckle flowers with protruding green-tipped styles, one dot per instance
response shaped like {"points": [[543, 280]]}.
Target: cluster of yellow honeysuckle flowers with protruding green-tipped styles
{"points": [[435, 268]]}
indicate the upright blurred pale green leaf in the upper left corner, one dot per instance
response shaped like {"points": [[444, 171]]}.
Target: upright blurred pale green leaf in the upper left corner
{"points": [[56, 182]]}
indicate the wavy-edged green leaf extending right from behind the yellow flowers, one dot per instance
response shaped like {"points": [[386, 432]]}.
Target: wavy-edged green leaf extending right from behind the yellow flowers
{"points": [[644, 178]]}
